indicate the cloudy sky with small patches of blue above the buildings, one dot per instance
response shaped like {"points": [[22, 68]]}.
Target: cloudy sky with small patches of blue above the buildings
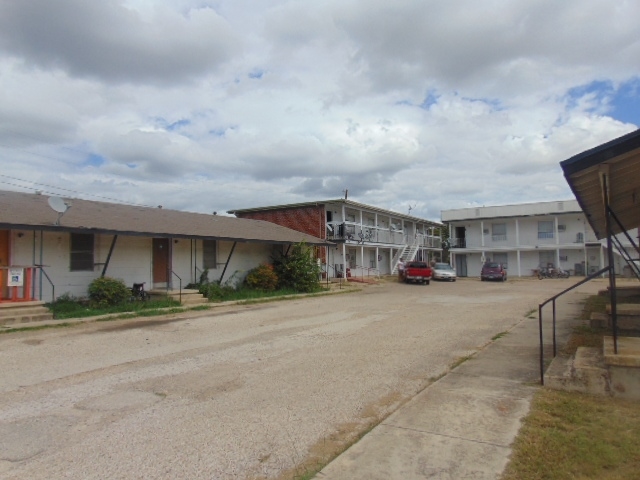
{"points": [[213, 105]]}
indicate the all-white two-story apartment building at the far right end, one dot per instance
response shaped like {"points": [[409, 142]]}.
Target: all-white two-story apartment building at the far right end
{"points": [[524, 237]]}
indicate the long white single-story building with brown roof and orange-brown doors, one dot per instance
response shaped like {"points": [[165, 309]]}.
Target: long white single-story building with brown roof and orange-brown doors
{"points": [[51, 246]]}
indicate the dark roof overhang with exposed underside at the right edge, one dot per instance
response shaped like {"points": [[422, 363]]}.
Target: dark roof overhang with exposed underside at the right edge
{"points": [[621, 159]]}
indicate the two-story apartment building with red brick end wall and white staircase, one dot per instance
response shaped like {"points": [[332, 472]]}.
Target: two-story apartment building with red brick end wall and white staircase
{"points": [[367, 239]]}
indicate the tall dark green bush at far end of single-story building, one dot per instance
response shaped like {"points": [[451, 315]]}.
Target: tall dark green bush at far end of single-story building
{"points": [[298, 269]]}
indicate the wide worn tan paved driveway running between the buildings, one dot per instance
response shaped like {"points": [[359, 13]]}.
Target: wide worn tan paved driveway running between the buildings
{"points": [[255, 392]]}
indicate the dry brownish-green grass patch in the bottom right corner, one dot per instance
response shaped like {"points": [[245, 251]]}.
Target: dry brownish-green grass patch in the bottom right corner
{"points": [[575, 435]]}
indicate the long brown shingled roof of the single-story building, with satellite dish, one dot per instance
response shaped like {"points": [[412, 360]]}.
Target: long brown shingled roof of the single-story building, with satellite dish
{"points": [[32, 212]]}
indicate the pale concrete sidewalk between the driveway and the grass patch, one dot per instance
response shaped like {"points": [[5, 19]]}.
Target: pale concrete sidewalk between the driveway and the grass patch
{"points": [[462, 426]]}
